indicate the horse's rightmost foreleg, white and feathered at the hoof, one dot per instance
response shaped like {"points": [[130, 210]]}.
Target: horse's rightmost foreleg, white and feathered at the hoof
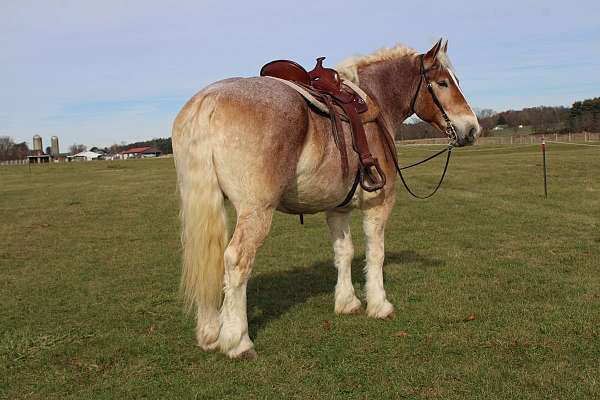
{"points": [[374, 221]]}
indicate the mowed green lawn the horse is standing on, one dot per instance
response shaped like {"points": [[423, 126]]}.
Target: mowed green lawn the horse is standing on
{"points": [[497, 290]]}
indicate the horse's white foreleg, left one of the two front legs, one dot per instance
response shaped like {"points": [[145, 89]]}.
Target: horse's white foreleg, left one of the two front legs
{"points": [[346, 301]]}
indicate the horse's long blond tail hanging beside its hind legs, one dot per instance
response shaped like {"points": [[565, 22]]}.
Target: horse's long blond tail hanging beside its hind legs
{"points": [[204, 225]]}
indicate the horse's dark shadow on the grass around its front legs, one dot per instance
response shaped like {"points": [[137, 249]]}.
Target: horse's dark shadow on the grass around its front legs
{"points": [[272, 294]]}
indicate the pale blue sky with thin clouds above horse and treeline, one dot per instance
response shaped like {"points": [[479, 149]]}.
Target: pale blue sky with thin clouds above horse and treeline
{"points": [[103, 72]]}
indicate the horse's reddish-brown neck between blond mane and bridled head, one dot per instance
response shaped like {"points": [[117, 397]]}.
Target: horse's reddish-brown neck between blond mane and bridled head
{"points": [[392, 84]]}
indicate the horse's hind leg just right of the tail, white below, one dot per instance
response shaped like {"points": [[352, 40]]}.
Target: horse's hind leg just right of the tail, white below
{"points": [[253, 225]]}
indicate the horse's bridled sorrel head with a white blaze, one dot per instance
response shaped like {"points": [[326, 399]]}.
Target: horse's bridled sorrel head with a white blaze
{"points": [[439, 101]]}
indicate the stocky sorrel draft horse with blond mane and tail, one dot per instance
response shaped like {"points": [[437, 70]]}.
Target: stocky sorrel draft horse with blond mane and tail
{"points": [[256, 142]]}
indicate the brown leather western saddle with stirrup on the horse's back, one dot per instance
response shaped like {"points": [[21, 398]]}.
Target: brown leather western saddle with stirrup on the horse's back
{"points": [[326, 85]]}
